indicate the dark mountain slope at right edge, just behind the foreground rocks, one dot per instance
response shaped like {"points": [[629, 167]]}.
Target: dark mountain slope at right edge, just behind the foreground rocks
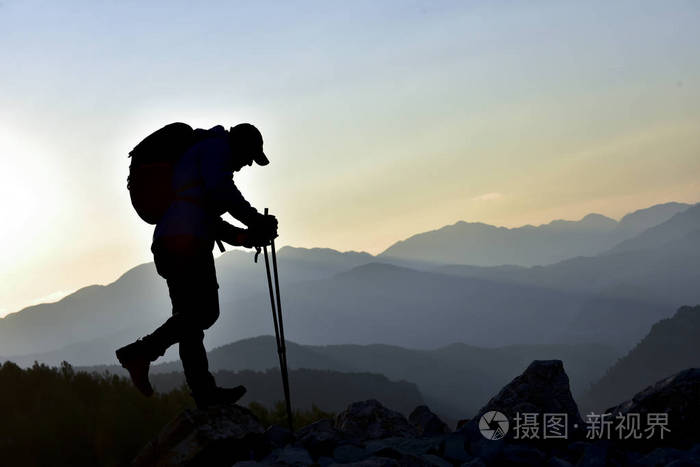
{"points": [[672, 345]]}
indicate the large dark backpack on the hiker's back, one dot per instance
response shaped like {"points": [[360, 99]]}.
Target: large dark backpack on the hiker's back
{"points": [[151, 169]]}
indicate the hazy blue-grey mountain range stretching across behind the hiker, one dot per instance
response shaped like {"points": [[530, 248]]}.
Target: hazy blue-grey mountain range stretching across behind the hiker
{"points": [[329, 297]]}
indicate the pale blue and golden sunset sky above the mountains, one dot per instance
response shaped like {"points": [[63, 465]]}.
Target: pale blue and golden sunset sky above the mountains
{"points": [[382, 119]]}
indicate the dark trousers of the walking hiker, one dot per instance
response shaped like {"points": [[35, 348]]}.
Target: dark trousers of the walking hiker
{"points": [[191, 279]]}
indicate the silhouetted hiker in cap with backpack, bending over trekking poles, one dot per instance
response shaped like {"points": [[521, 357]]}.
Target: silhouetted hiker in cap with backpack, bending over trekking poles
{"points": [[183, 240]]}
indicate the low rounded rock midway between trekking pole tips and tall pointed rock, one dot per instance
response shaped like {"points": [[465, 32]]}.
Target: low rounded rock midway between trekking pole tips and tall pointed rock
{"points": [[371, 420]]}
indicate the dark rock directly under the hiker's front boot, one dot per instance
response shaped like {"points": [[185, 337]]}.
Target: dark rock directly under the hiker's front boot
{"points": [[219, 435]]}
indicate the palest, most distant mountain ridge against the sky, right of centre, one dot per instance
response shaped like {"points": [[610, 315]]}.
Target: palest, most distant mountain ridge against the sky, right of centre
{"points": [[486, 245]]}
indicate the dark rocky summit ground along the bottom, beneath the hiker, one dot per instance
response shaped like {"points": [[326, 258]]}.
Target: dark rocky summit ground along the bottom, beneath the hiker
{"points": [[532, 421]]}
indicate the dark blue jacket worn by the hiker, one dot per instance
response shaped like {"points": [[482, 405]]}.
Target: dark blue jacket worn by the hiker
{"points": [[203, 181]]}
